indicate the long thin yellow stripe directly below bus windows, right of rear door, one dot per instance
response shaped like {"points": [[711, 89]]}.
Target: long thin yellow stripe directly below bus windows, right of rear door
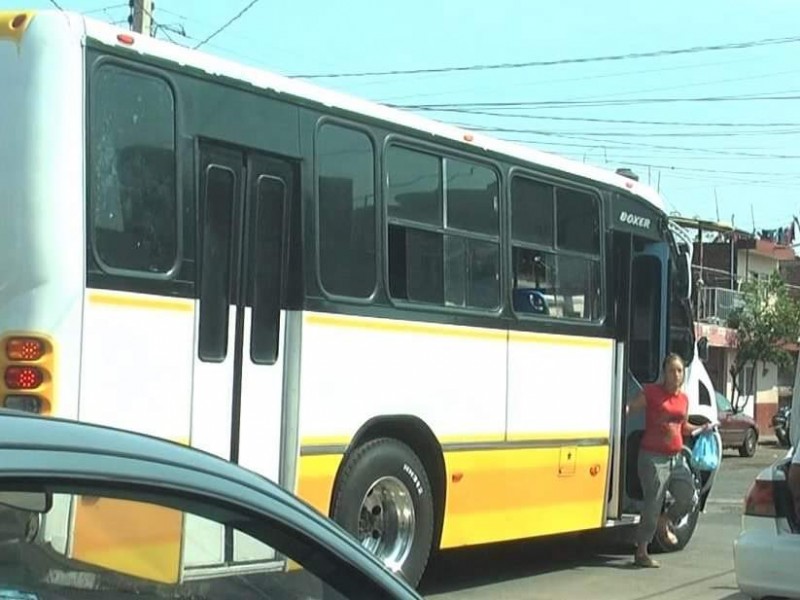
{"points": [[389, 325]]}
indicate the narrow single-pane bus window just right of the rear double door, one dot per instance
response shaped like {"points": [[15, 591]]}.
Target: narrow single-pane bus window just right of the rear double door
{"points": [[346, 209]]}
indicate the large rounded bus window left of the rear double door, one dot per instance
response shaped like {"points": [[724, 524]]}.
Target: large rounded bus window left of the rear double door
{"points": [[132, 172]]}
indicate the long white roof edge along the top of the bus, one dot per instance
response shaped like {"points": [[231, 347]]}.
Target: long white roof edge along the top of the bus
{"points": [[108, 34]]}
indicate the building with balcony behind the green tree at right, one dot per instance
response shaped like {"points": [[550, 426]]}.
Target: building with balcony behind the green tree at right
{"points": [[724, 257]]}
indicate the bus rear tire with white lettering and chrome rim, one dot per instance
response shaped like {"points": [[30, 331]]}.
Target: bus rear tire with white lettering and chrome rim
{"points": [[383, 498]]}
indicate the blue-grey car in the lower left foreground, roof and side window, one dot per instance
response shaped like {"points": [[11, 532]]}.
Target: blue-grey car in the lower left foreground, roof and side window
{"points": [[90, 509]]}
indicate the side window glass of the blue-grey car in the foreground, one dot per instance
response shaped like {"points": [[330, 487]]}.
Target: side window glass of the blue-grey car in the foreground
{"points": [[90, 546]]}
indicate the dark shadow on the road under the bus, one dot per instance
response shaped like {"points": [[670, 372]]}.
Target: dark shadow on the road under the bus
{"points": [[456, 570]]}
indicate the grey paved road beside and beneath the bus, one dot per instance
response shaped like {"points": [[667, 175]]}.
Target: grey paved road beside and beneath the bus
{"points": [[572, 568]]}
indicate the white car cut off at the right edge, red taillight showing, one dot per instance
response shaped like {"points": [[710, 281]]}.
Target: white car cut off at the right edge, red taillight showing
{"points": [[766, 554]]}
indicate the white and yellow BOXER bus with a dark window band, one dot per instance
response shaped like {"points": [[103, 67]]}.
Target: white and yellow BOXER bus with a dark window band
{"points": [[427, 334]]}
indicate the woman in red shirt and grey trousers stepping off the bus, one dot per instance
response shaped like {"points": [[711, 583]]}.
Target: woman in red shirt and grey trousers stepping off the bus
{"points": [[661, 465]]}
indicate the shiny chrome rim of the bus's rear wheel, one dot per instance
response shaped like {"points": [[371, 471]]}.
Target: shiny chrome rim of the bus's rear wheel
{"points": [[386, 522]]}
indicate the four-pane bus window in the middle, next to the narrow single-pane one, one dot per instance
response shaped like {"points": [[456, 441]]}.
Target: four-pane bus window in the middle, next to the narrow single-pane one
{"points": [[443, 230]]}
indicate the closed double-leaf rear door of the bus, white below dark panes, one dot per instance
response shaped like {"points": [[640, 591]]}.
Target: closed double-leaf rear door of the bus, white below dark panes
{"points": [[237, 400]]}
